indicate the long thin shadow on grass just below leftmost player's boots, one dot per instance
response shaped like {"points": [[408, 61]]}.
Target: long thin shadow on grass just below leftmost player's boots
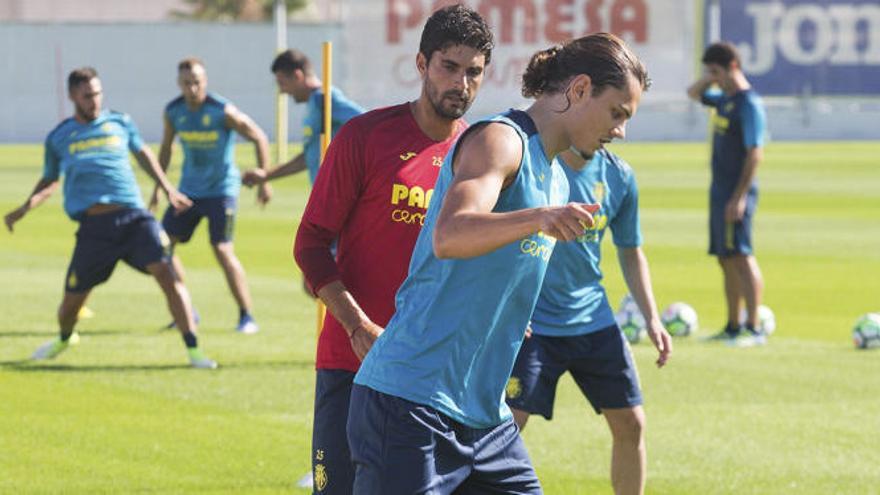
{"points": [[30, 366]]}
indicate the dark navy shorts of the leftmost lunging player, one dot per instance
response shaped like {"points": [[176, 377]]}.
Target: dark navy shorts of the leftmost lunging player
{"points": [[131, 235]]}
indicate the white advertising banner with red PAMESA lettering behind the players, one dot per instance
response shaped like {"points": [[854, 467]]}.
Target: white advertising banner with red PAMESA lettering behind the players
{"points": [[382, 38]]}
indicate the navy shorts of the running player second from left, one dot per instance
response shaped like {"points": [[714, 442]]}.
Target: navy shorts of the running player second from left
{"points": [[219, 211]]}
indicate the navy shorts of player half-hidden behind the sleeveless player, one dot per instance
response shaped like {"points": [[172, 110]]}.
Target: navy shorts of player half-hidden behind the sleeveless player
{"points": [[600, 363]]}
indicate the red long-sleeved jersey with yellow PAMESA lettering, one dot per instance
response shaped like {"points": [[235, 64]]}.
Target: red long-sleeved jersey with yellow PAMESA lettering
{"points": [[372, 192]]}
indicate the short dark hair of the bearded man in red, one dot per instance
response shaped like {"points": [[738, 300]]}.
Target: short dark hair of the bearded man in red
{"points": [[456, 25]]}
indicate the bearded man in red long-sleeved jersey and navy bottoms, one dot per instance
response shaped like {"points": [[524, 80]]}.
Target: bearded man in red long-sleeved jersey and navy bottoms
{"points": [[375, 185]]}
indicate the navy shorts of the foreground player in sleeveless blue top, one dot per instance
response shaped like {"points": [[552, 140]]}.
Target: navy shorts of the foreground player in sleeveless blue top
{"points": [[400, 447]]}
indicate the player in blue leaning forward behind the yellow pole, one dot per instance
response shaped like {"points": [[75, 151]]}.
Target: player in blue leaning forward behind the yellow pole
{"points": [[296, 77]]}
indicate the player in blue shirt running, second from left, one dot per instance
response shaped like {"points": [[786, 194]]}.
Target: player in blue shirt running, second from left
{"points": [[204, 122]]}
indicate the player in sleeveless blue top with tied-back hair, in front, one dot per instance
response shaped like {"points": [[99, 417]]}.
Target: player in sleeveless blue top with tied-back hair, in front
{"points": [[427, 409]]}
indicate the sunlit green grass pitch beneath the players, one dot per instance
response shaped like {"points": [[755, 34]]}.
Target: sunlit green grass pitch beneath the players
{"points": [[122, 413]]}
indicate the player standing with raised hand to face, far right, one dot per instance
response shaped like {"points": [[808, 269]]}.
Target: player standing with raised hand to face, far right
{"points": [[737, 148]]}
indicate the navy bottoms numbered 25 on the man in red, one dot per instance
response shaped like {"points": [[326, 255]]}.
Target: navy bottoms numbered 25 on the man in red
{"points": [[332, 470]]}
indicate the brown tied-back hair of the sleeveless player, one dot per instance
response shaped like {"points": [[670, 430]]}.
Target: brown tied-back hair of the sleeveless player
{"points": [[602, 56]]}
